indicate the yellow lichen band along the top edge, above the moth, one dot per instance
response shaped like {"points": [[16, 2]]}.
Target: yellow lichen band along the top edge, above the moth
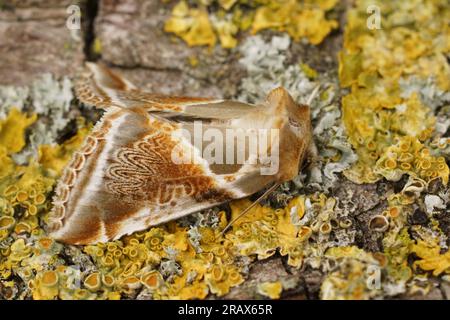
{"points": [[199, 25]]}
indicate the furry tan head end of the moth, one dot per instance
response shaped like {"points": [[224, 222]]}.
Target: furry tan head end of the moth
{"points": [[295, 131]]}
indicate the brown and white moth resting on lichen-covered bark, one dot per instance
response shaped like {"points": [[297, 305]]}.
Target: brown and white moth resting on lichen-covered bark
{"points": [[124, 177]]}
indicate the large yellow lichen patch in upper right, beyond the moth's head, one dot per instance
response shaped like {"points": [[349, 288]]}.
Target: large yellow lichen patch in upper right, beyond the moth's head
{"points": [[376, 114]]}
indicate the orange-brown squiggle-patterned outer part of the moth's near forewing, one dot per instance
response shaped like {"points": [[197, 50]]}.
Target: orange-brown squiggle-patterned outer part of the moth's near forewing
{"points": [[124, 180]]}
